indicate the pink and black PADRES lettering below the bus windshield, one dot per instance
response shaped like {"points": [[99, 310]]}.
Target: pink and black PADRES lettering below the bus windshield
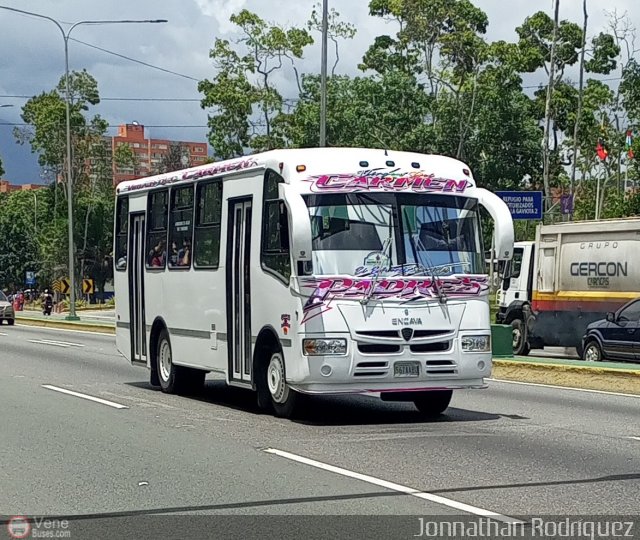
{"points": [[325, 290]]}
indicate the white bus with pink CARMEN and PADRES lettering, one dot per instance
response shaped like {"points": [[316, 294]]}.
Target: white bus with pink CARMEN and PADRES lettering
{"points": [[311, 271]]}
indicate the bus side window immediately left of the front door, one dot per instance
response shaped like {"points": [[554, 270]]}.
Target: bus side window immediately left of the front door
{"points": [[206, 242]]}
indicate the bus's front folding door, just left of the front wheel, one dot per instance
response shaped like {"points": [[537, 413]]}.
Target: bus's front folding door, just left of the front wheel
{"points": [[239, 290]]}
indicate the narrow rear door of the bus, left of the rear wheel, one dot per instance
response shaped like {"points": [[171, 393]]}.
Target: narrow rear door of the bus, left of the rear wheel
{"points": [[136, 289]]}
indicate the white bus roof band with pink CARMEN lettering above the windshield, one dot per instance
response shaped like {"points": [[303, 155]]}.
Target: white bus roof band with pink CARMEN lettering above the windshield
{"points": [[333, 170]]}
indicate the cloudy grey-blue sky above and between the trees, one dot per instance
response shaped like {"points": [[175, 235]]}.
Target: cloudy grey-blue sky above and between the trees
{"points": [[32, 54]]}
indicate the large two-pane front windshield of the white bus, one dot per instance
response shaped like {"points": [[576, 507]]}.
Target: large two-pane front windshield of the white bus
{"points": [[387, 234]]}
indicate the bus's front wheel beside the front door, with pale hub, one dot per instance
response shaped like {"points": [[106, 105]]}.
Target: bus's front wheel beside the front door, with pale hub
{"points": [[273, 391]]}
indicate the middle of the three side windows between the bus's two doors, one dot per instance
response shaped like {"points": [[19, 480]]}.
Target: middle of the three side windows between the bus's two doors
{"points": [[181, 229]]}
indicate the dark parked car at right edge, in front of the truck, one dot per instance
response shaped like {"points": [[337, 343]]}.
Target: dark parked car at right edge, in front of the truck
{"points": [[616, 337]]}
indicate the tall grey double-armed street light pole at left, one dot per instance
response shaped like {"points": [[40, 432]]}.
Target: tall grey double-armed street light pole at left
{"points": [[65, 36]]}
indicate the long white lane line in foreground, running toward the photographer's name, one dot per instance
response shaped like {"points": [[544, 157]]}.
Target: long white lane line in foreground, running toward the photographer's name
{"points": [[395, 487]]}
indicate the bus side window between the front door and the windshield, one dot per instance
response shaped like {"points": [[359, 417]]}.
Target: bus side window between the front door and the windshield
{"points": [[275, 229]]}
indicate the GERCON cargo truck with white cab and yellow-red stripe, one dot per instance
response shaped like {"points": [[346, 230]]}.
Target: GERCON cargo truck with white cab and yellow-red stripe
{"points": [[571, 275]]}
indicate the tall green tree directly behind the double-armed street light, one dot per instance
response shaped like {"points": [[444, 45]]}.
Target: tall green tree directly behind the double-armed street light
{"points": [[91, 173]]}
